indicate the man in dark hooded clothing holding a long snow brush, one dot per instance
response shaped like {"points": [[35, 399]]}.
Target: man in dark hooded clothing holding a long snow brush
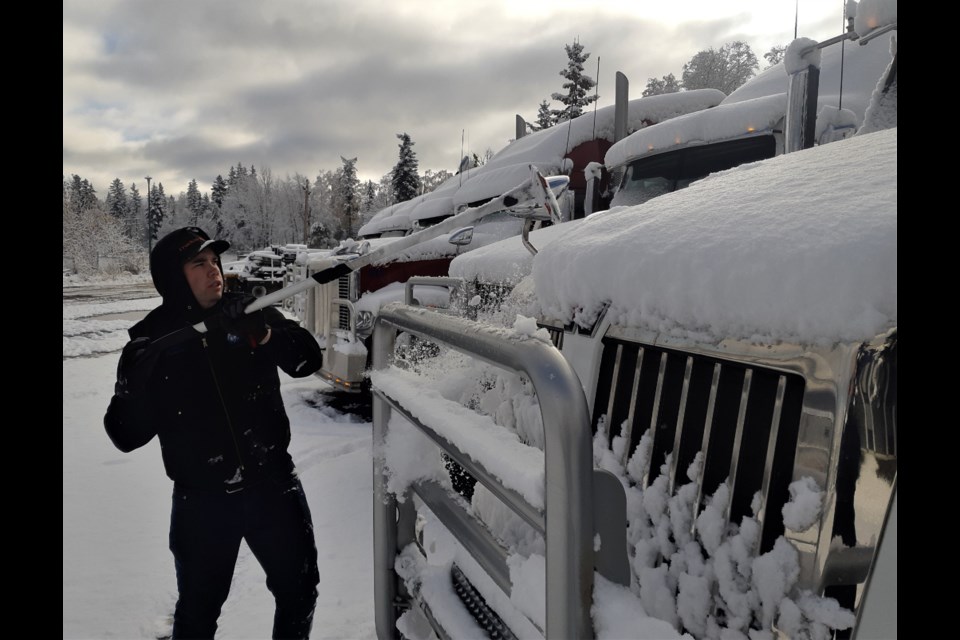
{"points": [[214, 401]]}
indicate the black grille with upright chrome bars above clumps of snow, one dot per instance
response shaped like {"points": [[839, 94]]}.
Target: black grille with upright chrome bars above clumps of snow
{"points": [[744, 418]]}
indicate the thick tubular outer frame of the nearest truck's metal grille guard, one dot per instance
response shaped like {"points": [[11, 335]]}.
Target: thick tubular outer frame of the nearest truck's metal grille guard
{"points": [[568, 467]]}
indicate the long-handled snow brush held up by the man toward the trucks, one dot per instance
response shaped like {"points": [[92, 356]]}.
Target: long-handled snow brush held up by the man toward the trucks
{"points": [[533, 194]]}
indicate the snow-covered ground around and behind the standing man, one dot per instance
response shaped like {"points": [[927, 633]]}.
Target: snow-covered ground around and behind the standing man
{"points": [[118, 578]]}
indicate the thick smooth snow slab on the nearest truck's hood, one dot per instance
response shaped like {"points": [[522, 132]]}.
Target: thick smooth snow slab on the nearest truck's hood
{"points": [[799, 247]]}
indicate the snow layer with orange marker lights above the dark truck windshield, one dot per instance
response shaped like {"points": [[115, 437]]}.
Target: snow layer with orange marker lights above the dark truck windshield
{"points": [[702, 127]]}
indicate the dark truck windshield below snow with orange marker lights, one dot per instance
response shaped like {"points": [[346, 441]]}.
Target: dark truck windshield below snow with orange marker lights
{"points": [[648, 178]]}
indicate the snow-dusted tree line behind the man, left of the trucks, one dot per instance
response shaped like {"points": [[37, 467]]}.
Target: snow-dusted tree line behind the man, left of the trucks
{"points": [[250, 207]]}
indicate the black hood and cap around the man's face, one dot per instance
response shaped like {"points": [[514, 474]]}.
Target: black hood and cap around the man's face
{"points": [[166, 267]]}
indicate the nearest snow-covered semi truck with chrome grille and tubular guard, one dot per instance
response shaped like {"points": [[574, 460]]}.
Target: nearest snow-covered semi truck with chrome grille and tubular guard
{"points": [[689, 428]]}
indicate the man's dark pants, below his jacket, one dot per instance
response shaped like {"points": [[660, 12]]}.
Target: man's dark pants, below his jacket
{"points": [[206, 528]]}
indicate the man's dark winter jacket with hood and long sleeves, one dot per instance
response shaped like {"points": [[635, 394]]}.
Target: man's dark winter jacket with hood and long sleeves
{"points": [[213, 400]]}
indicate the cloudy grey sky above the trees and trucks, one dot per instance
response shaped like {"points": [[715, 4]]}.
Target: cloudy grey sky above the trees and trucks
{"points": [[184, 89]]}
